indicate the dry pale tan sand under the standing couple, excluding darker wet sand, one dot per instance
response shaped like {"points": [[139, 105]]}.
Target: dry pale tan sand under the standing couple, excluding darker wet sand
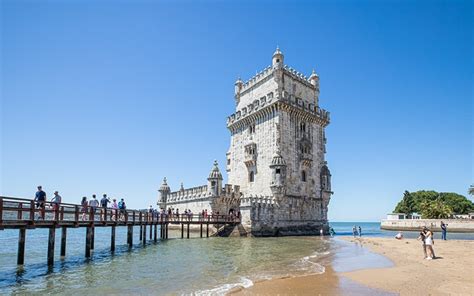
{"points": [[451, 274]]}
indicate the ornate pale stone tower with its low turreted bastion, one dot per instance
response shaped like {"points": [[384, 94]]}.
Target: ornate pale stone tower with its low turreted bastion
{"points": [[277, 174]]}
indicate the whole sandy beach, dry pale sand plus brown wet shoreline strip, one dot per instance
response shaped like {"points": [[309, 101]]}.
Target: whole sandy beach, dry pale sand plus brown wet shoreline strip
{"points": [[452, 273]]}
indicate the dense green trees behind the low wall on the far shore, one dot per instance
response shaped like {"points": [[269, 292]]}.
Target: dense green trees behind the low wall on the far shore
{"points": [[434, 205]]}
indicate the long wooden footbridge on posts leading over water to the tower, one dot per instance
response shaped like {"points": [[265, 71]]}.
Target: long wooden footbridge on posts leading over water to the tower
{"points": [[23, 214]]}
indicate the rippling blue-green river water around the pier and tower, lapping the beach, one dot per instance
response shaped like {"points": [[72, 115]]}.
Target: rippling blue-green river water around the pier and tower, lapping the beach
{"points": [[176, 266]]}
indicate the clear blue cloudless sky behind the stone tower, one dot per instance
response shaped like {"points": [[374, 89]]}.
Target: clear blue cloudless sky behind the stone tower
{"points": [[111, 96]]}
